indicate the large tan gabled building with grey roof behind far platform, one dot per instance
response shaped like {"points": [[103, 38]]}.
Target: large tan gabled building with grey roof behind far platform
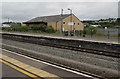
{"points": [[64, 22]]}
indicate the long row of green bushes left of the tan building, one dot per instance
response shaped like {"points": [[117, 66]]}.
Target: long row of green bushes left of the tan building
{"points": [[32, 28]]}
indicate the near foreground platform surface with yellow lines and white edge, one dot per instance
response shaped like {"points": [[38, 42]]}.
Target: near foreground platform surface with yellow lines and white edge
{"points": [[34, 69]]}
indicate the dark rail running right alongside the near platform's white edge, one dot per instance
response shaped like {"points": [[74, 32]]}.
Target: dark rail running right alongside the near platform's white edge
{"points": [[94, 76]]}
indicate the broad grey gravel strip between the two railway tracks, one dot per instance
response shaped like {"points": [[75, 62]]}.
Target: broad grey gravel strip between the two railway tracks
{"points": [[99, 60]]}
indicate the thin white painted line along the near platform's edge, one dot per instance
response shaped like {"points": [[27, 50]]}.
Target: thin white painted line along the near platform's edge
{"points": [[49, 64]]}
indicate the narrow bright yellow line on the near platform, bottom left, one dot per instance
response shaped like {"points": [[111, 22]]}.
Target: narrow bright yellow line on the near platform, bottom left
{"points": [[20, 70]]}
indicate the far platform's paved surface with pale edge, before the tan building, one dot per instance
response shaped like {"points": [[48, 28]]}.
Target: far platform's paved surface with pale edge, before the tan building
{"points": [[114, 40]]}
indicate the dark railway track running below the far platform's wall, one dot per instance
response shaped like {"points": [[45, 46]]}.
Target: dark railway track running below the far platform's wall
{"points": [[27, 39]]}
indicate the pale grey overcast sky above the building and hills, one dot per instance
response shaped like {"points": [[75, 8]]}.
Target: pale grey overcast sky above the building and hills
{"points": [[85, 10]]}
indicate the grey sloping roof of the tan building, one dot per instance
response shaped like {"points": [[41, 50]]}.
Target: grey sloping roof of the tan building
{"points": [[53, 18]]}
